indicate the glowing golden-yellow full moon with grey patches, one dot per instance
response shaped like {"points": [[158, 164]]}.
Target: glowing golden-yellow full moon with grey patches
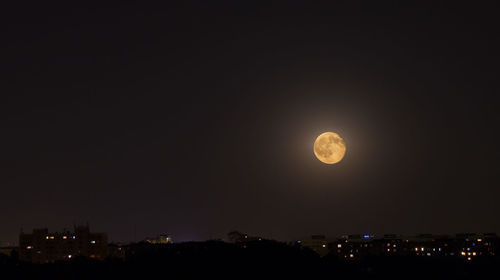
{"points": [[329, 148]]}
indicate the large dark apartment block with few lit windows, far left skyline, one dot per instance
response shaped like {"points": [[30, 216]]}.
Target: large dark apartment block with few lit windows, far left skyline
{"points": [[44, 247]]}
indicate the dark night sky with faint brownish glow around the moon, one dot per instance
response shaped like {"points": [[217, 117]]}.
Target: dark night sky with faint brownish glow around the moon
{"points": [[198, 118]]}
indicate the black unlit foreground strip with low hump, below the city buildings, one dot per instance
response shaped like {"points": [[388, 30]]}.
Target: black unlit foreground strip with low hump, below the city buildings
{"points": [[264, 259]]}
